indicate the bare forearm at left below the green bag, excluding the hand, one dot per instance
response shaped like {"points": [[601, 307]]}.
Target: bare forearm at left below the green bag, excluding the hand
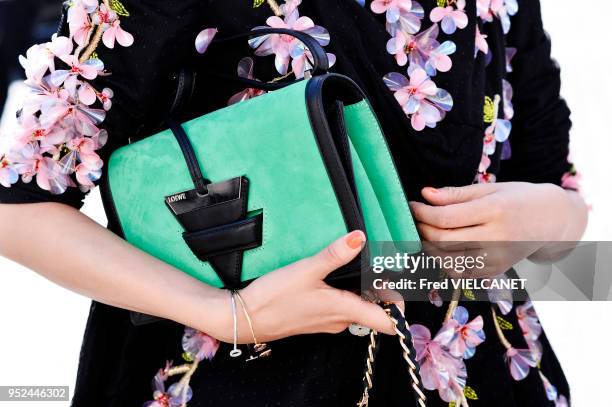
{"points": [[70, 249]]}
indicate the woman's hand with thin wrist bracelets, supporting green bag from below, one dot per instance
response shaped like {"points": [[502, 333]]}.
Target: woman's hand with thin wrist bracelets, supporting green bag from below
{"points": [[295, 300]]}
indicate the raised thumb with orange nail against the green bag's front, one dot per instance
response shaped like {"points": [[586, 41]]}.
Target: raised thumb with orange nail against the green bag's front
{"points": [[337, 254]]}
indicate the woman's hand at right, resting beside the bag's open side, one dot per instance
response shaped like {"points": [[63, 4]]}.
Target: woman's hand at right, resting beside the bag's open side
{"points": [[517, 219]]}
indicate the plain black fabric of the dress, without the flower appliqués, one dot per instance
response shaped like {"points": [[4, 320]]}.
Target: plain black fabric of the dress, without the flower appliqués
{"points": [[118, 360]]}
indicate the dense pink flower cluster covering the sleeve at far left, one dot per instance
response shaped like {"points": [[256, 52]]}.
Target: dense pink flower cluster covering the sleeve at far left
{"points": [[57, 138]]}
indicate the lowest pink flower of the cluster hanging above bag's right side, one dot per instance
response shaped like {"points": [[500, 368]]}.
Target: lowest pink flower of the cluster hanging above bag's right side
{"points": [[420, 98]]}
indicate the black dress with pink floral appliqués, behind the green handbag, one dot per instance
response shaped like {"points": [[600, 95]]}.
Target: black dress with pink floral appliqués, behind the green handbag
{"points": [[465, 91]]}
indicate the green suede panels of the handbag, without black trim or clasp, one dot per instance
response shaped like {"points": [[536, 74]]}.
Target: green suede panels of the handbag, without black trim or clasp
{"points": [[275, 148]]}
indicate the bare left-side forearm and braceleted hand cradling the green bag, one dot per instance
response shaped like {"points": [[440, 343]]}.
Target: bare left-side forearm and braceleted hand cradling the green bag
{"points": [[67, 247]]}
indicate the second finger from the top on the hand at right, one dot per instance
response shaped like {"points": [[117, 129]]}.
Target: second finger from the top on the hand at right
{"points": [[454, 215]]}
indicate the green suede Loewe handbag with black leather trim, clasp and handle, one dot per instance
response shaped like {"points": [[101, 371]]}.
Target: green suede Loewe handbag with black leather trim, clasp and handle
{"points": [[234, 194]]}
